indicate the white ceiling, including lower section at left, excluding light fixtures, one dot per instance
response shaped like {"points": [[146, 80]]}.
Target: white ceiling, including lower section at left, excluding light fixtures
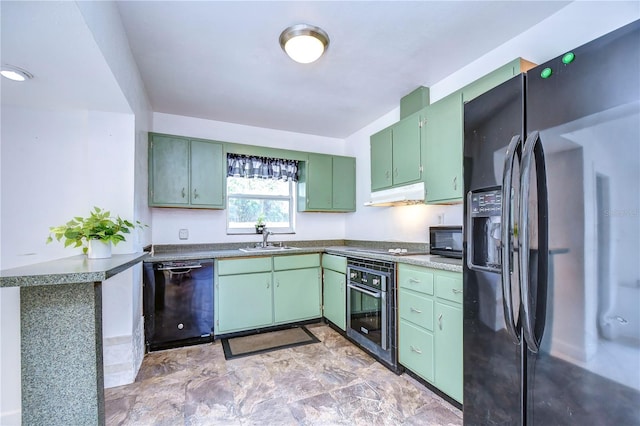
{"points": [[221, 60]]}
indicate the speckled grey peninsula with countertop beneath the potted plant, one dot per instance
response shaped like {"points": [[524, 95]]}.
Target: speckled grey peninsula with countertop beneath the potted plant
{"points": [[61, 336]]}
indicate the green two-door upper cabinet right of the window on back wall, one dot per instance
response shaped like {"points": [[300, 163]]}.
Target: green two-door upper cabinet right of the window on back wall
{"points": [[327, 183]]}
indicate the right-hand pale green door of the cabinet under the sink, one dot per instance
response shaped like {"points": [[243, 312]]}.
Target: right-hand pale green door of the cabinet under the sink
{"points": [[296, 295]]}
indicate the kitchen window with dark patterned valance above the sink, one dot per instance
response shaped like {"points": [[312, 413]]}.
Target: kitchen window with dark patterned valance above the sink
{"points": [[260, 194]]}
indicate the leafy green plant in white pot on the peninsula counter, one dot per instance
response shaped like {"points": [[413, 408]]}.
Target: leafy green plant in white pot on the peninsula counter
{"points": [[94, 233]]}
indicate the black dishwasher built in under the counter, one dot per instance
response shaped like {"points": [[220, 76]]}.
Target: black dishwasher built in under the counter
{"points": [[178, 303]]}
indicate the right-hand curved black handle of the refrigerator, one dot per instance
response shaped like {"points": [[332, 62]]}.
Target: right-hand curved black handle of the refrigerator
{"points": [[533, 311]]}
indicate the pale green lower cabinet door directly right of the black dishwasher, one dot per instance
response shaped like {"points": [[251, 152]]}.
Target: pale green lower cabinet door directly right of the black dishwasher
{"points": [[244, 302]]}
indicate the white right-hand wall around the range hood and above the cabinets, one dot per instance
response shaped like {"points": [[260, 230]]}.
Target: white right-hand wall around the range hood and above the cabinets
{"points": [[574, 25]]}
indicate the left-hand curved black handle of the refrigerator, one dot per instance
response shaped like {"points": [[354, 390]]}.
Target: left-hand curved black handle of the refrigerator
{"points": [[505, 233]]}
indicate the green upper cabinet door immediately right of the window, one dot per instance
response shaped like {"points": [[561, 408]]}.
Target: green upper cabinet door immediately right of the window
{"points": [[319, 182]]}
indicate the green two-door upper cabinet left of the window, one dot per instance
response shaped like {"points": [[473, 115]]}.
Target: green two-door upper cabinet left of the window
{"points": [[185, 172]]}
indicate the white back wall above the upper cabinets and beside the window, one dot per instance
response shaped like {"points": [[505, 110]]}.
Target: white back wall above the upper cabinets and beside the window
{"points": [[209, 226]]}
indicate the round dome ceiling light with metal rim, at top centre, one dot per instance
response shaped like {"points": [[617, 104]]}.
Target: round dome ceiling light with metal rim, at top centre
{"points": [[304, 43]]}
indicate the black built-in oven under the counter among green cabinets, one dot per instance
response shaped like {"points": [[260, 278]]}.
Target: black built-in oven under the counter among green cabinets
{"points": [[371, 308]]}
